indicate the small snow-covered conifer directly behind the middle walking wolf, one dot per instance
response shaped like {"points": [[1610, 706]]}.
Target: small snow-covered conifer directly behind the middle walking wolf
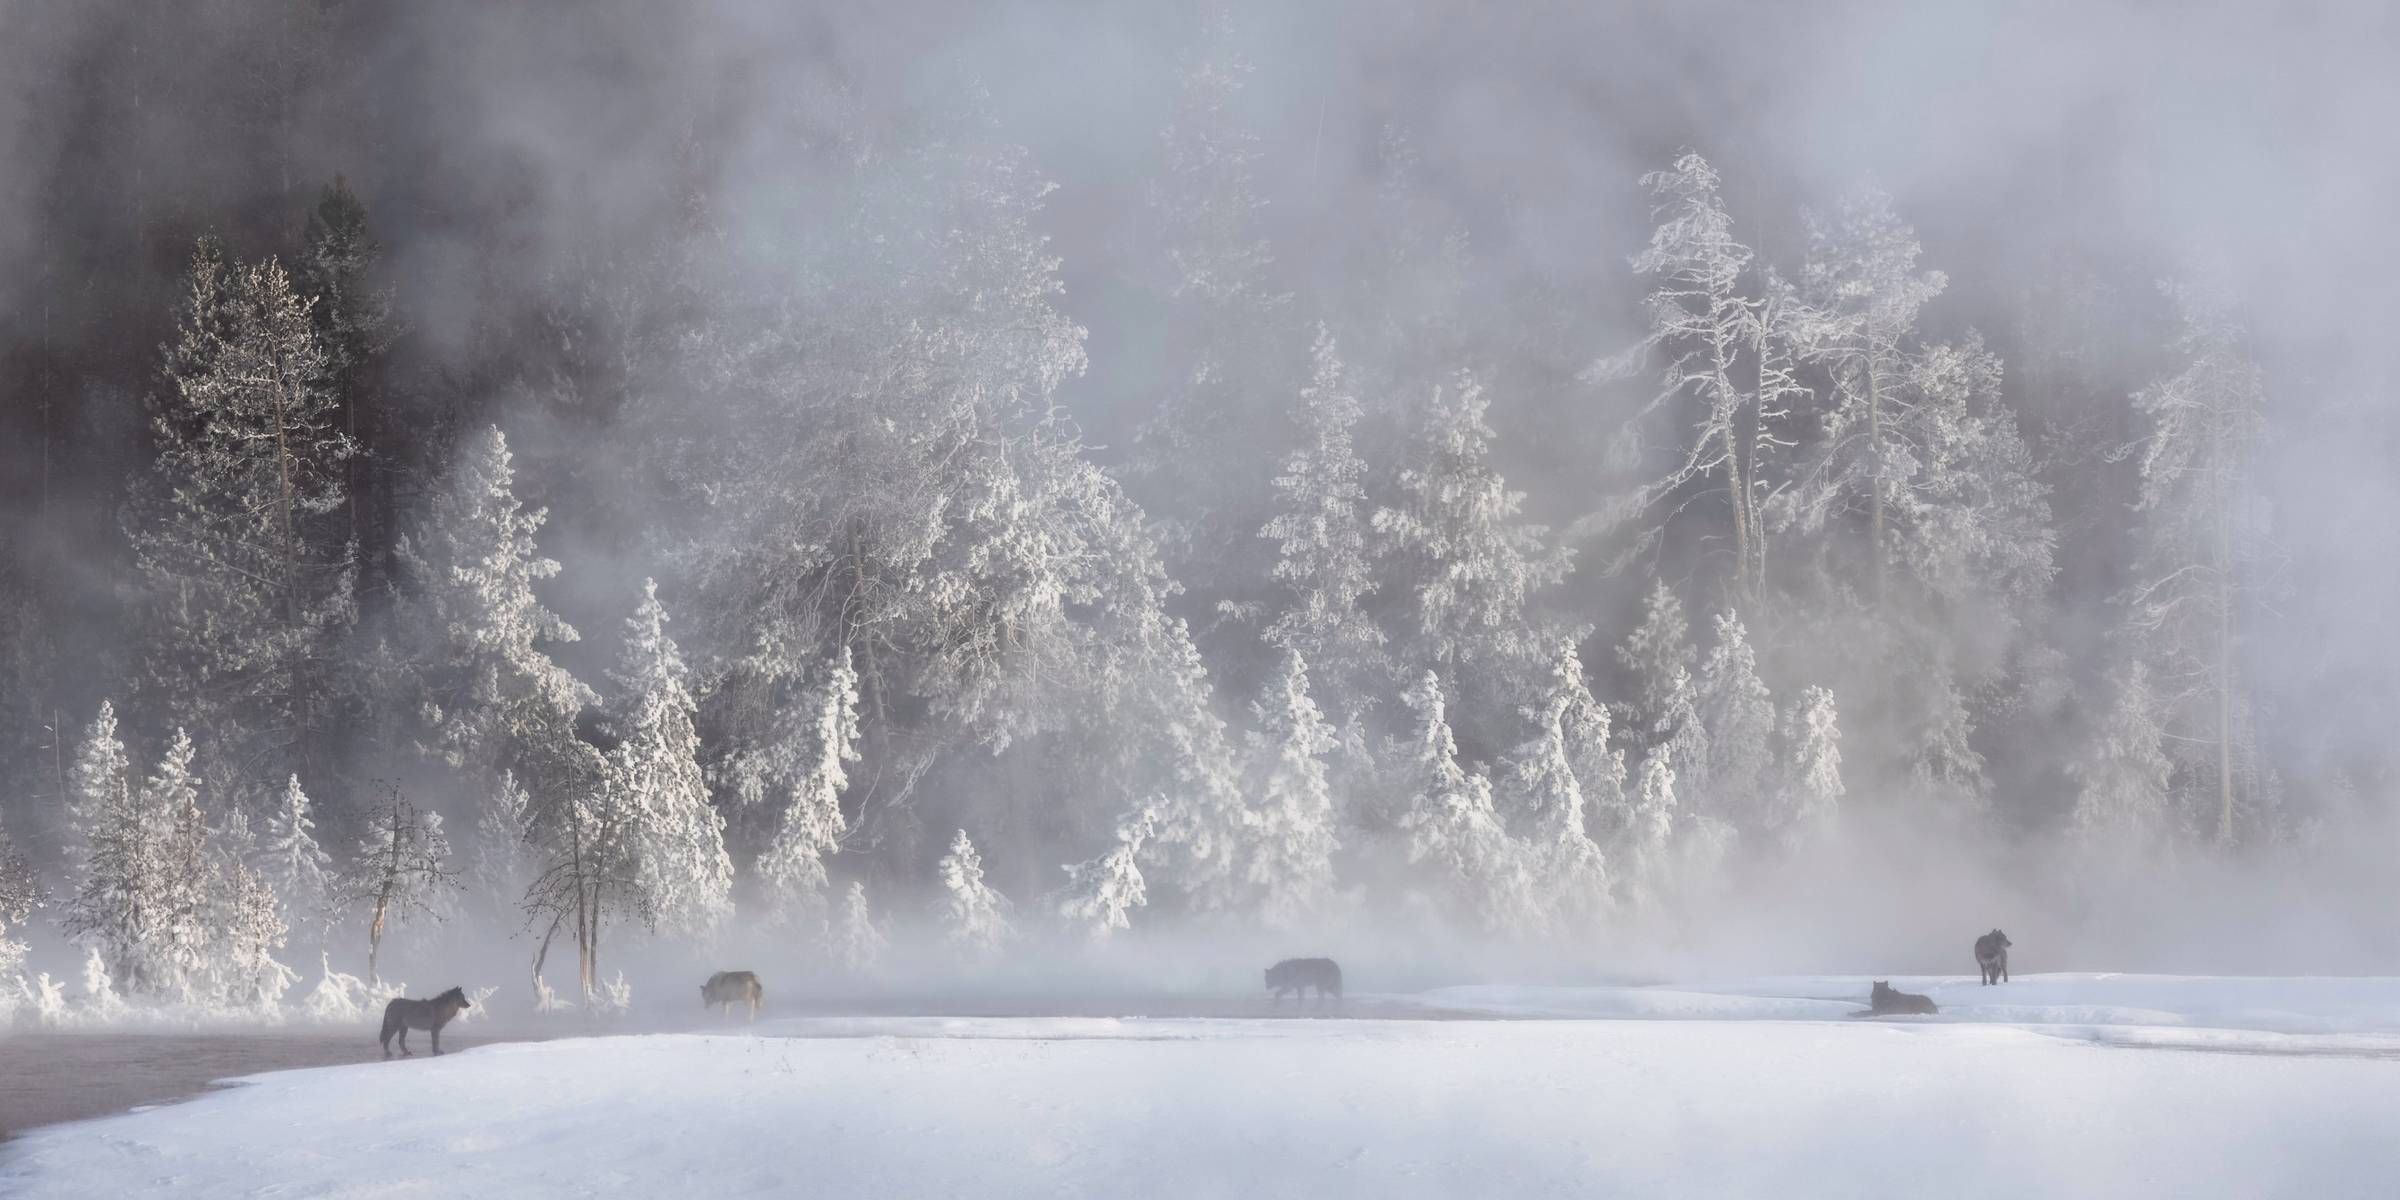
{"points": [[1295, 812]]}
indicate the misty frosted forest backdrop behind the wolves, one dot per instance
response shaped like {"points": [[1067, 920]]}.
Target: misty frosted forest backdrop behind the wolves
{"points": [[947, 498]]}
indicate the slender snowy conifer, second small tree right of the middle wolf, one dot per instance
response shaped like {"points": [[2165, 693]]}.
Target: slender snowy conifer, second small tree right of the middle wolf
{"points": [[1549, 805]]}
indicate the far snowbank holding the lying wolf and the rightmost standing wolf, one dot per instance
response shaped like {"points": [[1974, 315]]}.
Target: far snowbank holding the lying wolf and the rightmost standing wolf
{"points": [[2272, 1004]]}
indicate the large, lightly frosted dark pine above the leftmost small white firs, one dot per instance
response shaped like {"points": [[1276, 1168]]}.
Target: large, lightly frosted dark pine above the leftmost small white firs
{"points": [[246, 572]]}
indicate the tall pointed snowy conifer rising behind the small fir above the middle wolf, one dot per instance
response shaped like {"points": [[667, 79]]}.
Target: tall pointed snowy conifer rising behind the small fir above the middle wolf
{"points": [[1321, 534]]}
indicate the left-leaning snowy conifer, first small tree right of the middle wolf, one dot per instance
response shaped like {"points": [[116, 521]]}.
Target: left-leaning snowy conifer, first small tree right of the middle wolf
{"points": [[1451, 824]]}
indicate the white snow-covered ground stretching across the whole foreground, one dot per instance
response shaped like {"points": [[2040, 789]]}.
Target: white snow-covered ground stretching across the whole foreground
{"points": [[992, 1108]]}
